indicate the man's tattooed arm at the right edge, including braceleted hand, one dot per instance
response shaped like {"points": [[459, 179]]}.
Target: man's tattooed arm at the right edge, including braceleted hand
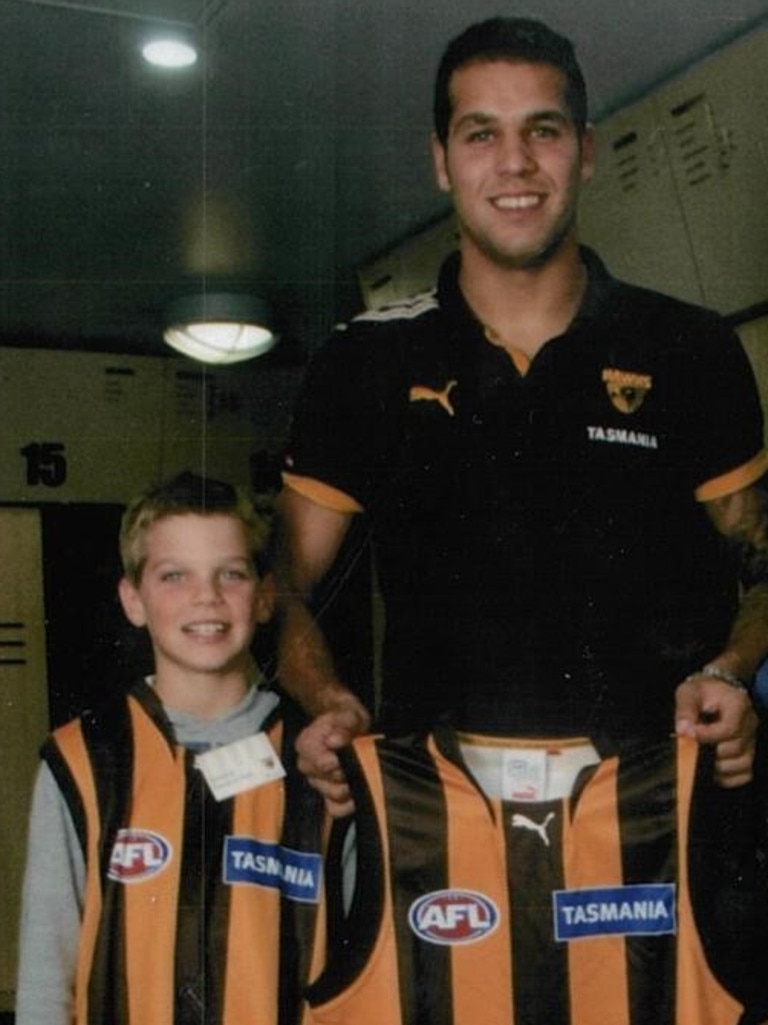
{"points": [[708, 709]]}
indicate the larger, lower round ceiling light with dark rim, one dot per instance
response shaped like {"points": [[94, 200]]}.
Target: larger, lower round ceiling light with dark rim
{"points": [[220, 327]]}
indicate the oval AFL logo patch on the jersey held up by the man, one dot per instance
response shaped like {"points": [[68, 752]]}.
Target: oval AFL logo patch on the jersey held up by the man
{"points": [[453, 917]]}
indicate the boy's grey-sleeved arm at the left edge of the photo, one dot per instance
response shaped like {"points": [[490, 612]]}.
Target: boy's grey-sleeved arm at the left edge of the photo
{"points": [[52, 911]]}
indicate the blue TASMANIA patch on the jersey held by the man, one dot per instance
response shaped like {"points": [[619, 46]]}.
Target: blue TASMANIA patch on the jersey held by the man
{"points": [[646, 910]]}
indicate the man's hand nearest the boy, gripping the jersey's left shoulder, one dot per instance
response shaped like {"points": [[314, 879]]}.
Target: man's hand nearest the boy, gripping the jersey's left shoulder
{"points": [[317, 747]]}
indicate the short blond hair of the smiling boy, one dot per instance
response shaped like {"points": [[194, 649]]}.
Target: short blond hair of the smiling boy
{"points": [[190, 494]]}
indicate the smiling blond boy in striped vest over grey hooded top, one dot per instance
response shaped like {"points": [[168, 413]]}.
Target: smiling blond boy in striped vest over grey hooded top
{"points": [[174, 872]]}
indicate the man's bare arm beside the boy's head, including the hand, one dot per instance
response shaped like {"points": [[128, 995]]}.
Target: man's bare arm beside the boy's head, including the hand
{"points": [[311, 537]]}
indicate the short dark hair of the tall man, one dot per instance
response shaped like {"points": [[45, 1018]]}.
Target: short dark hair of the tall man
{"points": [[510, 39]]}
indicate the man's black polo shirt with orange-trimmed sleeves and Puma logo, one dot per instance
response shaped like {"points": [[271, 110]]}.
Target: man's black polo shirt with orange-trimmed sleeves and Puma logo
{"points": [[547, 566]]}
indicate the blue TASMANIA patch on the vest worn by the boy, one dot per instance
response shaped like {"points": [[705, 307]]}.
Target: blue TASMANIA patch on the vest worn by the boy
{"points": [[253, 863]]}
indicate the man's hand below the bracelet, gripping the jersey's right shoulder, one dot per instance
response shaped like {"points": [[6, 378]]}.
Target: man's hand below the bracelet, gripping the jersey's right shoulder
{"points": [[715, 713]]}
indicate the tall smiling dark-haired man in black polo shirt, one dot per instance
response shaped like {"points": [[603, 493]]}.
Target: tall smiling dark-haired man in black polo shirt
{"points": [[561, 471]]}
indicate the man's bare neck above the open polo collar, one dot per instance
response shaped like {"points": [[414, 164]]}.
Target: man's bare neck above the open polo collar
{"points": [[522, 309]]}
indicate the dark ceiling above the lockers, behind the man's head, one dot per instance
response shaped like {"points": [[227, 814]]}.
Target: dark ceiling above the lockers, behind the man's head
{"points": [[297, 149]]}
